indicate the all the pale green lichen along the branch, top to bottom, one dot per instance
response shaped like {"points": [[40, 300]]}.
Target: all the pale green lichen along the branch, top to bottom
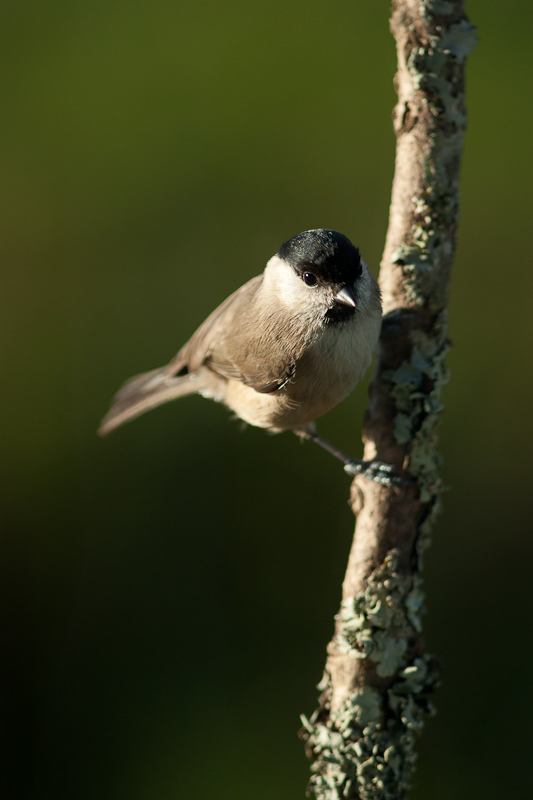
{"points": [[366, 748]]}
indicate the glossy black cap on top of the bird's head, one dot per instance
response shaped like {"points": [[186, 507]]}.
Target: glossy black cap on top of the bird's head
{"points": [[331, 255]]}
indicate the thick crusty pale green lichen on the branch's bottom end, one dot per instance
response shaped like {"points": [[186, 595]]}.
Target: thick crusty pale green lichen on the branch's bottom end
{"points": [[366, 749]]}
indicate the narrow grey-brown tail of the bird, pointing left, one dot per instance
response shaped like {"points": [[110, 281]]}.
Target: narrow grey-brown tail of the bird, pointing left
{"points": [[147, 391]]}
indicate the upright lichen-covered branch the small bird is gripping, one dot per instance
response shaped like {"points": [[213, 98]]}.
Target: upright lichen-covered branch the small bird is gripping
{"points": [[377, 681]]}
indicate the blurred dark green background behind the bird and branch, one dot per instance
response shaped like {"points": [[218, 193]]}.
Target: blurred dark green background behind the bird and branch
{"points": [[168, 593]]}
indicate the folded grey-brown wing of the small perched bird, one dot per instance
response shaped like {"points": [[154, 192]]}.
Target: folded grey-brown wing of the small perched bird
{"points": [[236, 344]]}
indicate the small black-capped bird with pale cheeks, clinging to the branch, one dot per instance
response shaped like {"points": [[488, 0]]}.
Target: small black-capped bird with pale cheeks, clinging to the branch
{"points": [[282, 350]]}
